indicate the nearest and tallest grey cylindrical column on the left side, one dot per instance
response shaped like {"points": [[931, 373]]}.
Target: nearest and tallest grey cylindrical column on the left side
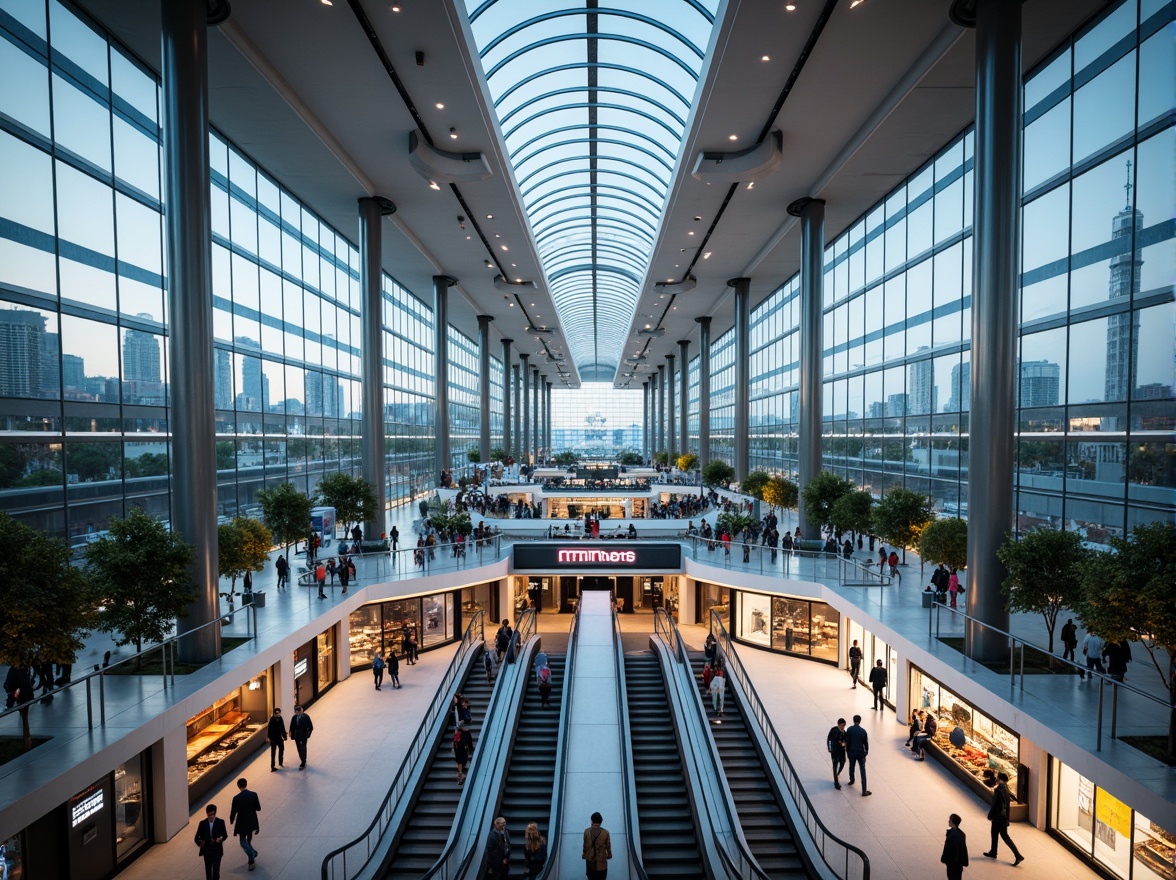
{"points": [[185, 54]]}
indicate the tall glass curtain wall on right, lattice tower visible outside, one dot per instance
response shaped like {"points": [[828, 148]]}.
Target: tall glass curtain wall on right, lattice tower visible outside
{"points": [[1095, 444]]}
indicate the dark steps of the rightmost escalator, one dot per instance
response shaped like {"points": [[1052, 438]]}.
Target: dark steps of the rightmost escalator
{"points": [[761, 817]]}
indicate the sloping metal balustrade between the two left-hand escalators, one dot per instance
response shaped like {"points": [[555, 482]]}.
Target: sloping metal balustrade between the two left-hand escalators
{"points": [[464, 844]]}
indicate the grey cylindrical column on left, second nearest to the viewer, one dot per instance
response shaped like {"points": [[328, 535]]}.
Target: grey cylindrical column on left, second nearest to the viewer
{"points": [[372, 443]]}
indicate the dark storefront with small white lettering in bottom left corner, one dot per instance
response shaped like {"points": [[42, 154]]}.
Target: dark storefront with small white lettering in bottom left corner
{"points": [[96, 834]]}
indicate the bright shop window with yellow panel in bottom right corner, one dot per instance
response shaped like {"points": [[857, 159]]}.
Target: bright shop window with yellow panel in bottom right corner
{"points": [[1107, 832]]}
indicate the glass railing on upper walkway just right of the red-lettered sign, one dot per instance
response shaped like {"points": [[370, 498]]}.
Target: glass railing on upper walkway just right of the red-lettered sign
{"points": [[806, 565]]}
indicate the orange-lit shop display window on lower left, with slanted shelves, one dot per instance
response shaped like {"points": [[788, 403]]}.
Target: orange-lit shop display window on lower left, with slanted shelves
{"points": [[228, 734]]}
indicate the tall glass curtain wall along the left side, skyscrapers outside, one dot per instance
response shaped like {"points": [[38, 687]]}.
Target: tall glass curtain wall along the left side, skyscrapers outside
{"points": [[84, 378]]}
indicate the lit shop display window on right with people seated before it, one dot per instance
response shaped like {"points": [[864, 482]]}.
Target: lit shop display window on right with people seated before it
{"points": [[983, 748]]}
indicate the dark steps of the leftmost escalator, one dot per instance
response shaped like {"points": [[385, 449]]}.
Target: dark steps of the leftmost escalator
{"points": [[424, 838]]}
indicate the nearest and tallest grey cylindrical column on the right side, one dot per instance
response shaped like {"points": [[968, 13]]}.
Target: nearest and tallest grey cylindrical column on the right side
{"points": [[997, 263]]}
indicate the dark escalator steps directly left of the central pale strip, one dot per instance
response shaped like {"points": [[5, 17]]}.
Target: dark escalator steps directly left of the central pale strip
{"points": [[531, 771]]}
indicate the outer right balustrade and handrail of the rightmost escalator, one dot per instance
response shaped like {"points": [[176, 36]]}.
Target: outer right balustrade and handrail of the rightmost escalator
{"points": [[823, 839]]}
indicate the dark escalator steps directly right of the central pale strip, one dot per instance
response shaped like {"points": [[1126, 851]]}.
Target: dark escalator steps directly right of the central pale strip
{"points": [[665, 812]]}
